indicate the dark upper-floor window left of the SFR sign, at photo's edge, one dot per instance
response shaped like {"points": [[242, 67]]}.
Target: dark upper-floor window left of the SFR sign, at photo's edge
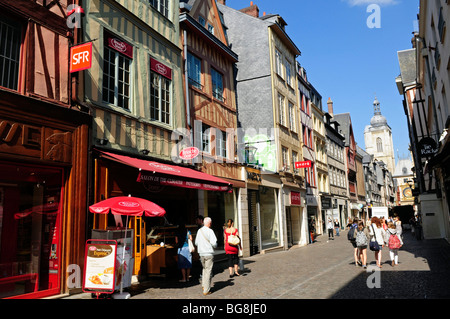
{"points": [[10, 39]]}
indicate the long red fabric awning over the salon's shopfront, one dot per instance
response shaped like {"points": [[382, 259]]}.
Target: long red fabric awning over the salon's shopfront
{"points": [[171, 175]]}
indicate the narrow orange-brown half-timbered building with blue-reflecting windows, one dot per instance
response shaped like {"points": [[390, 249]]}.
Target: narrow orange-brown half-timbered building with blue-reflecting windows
{"points": [[211, 108]]}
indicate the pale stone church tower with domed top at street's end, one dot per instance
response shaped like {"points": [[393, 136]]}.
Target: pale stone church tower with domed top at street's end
{"points": [[378, 138]]}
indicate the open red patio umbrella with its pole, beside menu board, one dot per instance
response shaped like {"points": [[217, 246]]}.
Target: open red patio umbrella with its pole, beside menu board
{"points": [[128, 206]]}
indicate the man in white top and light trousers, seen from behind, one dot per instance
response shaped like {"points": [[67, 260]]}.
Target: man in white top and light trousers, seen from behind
{"points": [[206, 241]]}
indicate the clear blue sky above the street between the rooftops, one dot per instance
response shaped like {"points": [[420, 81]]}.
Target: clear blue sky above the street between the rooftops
{"points": [[348, 61]]}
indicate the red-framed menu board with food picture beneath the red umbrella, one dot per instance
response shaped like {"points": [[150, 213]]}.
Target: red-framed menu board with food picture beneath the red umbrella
{"points": [[100, 265]]}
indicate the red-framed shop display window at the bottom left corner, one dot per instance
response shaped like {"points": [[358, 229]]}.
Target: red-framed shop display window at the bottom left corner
{"points": [[30, 214]]}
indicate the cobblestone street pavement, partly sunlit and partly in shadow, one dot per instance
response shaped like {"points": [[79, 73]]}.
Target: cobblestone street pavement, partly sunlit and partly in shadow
{"points": [[323, 270]]}
